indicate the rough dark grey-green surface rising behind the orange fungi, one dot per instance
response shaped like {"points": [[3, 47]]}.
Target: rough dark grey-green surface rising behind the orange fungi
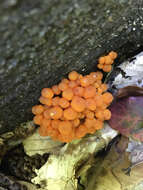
{"points": [[41, 41]]}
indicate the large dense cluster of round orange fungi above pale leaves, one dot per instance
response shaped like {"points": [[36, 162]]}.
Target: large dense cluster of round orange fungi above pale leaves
{"points": [[75, 107]]}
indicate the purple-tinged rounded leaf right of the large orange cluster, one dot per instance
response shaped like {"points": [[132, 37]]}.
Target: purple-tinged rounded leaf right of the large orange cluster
{"points": [[127, 116]]}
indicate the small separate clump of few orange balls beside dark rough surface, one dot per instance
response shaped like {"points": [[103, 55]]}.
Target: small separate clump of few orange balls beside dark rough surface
{"points": [[105, 62]]}
